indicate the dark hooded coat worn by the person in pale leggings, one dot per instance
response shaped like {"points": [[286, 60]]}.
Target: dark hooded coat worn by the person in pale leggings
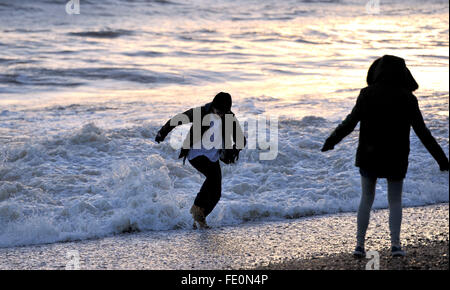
{"points": [[387, 109]]}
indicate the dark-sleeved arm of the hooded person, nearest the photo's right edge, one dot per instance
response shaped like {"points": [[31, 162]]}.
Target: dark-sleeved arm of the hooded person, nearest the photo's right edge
{"points": [[426, 138]]}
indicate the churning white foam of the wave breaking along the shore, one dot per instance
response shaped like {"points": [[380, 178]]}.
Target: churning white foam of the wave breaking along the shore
{"points": [[94, 181]]}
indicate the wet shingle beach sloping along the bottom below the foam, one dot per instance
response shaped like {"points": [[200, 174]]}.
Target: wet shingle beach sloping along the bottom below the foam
{"points": [[319, 242]]}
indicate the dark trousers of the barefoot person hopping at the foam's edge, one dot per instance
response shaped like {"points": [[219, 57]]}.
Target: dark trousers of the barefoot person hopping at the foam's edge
{"points": [[211, 189]]}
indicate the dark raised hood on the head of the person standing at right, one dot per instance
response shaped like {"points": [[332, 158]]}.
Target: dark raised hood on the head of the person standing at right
{"points": [[391, 70]]}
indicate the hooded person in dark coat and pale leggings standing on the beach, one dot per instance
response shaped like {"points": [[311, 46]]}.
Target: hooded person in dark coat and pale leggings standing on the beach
{"points": [[387, 109]]}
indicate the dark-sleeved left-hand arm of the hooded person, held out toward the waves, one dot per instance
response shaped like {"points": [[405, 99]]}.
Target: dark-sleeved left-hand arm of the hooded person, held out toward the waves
{"points": [[346, 127]]}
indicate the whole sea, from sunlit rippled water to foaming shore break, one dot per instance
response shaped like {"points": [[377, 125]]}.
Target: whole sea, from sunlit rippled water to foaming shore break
{"points": [[83, 95]]}
